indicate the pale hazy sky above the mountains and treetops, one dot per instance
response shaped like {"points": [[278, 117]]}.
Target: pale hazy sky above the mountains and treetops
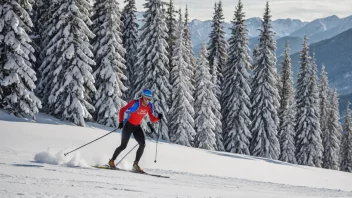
{"points": [[306, 10]]}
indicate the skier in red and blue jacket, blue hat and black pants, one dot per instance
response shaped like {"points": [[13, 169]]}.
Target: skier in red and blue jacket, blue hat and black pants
{"points": [[130, 124]]}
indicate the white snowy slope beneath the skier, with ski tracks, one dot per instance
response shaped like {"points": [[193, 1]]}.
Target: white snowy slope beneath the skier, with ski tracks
{"points": [[32, 164]]}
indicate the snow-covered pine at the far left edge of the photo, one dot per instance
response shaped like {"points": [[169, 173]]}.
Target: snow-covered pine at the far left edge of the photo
{"points": [[17, 58]]}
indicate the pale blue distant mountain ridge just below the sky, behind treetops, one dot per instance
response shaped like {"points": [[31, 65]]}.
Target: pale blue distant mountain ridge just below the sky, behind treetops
{"points": [[292, 30]]}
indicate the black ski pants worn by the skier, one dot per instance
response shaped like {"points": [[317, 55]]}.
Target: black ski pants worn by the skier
{"points": [[138, 135]]}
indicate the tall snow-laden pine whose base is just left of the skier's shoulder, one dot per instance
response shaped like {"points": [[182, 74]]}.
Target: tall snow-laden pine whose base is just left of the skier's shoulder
{"points": [[110, 64]]}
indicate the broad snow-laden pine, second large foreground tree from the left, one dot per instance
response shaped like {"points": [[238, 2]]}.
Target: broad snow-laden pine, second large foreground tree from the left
{"points": [[72, 76]]}
